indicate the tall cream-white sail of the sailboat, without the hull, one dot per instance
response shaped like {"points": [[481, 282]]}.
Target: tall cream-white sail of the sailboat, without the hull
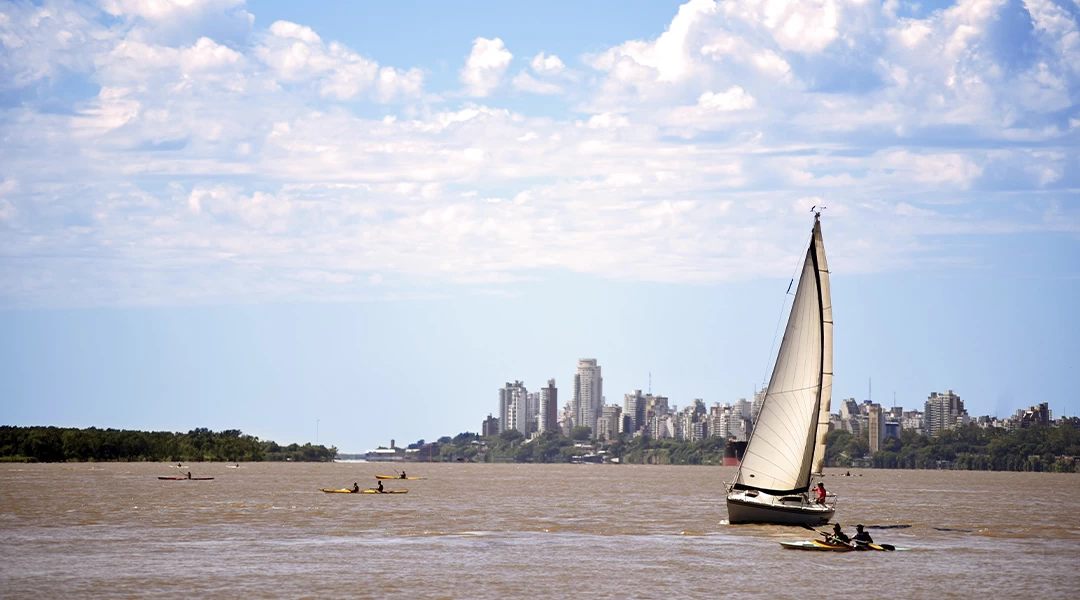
{"points": [[789, 439]]}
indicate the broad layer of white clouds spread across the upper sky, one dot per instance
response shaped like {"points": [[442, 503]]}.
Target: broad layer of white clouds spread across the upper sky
{"points": [[285, 165]]}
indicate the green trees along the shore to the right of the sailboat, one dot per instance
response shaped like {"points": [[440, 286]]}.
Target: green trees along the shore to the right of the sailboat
{"points": [[969, 448]]}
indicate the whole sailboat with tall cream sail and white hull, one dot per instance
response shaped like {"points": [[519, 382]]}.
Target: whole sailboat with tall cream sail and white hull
{"points": [[788, 444]]}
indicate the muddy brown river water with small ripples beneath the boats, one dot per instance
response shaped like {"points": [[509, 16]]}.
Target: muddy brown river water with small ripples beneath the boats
{"points": [[514, 531]]}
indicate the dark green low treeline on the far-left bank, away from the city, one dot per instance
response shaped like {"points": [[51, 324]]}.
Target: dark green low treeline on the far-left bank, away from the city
{"points": [[74, 445]]}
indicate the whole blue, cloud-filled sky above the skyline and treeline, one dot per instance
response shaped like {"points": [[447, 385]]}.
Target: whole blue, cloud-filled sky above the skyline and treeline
{"points": [[264, 215]]}
